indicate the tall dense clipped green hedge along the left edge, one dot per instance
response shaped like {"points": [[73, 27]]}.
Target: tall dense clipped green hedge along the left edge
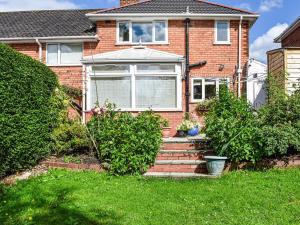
{"points": [[28, 110]]}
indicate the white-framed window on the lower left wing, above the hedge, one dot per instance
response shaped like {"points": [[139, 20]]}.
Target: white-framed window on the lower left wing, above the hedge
{"points": [[64, 54]]}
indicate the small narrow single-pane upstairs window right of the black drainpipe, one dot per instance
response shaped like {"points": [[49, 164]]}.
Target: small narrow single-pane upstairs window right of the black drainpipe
{"points": [[222, 32]]}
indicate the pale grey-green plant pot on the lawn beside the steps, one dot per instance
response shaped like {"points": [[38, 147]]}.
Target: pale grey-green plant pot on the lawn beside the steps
{"points": [[215, 164]]}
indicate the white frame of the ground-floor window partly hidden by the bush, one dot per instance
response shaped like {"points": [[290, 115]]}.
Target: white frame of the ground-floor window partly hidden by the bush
{"points": [[203, 86]]}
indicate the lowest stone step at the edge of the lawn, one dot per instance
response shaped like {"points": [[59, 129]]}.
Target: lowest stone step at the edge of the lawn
{"points": [[177, 175]]}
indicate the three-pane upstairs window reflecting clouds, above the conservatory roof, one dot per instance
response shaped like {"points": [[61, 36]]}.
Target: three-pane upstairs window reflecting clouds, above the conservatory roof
{"points": [[153, 32]]}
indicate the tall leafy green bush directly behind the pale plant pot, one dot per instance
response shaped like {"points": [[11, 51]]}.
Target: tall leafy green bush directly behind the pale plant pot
{"points": [[231, 125]]}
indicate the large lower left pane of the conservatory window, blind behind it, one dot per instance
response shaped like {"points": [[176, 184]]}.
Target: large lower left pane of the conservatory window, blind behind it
{"points": [[114, 89]]}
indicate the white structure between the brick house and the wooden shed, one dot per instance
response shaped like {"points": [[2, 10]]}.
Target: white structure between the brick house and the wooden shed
{"points": [[256, 83]]}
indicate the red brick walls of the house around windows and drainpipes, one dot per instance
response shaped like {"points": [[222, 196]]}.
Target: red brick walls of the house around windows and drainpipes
{"points": [[202, 47]]}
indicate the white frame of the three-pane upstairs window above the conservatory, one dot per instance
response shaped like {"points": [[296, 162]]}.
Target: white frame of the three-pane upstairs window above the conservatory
{"points": [[118, 42]]}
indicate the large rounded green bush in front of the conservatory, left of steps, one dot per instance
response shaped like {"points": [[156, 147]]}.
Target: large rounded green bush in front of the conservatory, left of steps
{"points": [[126, 144]]}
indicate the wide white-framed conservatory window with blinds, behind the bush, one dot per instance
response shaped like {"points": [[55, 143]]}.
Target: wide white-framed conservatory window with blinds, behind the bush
{"points": [[136, 86]]}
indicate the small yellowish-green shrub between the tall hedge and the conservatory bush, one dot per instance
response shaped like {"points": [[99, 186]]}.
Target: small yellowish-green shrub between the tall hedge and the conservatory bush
{"points": [[71, 137]]}
